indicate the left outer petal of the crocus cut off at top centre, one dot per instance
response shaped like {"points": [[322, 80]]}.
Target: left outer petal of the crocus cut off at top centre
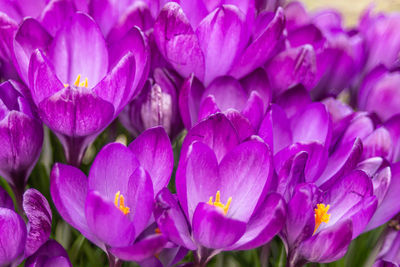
{"points": [[177, 41]]}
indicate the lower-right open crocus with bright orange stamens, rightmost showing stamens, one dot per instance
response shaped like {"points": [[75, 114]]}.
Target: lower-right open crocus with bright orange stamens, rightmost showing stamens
{"points": [[321, 224]]}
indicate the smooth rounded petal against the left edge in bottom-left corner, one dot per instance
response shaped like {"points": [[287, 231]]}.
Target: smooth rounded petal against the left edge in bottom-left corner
{"points": [[13, 236]]}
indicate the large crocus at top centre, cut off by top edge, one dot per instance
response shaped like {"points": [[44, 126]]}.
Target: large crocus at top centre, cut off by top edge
{"points": [[214, 44]]}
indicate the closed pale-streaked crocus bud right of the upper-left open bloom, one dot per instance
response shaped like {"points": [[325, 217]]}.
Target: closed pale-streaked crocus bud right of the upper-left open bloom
{"points": [[157, 105]]}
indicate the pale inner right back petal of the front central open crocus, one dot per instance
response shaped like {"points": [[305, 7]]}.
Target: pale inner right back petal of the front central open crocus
{"points": [[250, 165]]}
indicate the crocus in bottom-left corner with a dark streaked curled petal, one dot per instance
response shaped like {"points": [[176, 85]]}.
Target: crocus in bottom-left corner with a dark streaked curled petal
{"points": [[19, 240]]}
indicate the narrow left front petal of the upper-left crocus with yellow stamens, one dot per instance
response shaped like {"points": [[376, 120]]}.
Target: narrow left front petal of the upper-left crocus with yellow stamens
{"points": [[42, 79]]}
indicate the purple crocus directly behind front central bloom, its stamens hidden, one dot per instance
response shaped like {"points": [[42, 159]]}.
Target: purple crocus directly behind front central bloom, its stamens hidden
{"points": [[245, 104]]}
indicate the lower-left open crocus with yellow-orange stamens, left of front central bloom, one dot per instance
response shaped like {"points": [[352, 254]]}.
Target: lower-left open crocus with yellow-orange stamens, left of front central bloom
{"points": [[112, 207]]}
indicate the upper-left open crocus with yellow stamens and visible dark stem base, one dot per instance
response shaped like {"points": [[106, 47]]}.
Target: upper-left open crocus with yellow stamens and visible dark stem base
{"points": [[76, 95]]}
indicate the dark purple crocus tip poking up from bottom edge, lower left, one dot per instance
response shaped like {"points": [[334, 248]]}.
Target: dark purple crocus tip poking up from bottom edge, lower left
{"points": [[49, 254]]}
